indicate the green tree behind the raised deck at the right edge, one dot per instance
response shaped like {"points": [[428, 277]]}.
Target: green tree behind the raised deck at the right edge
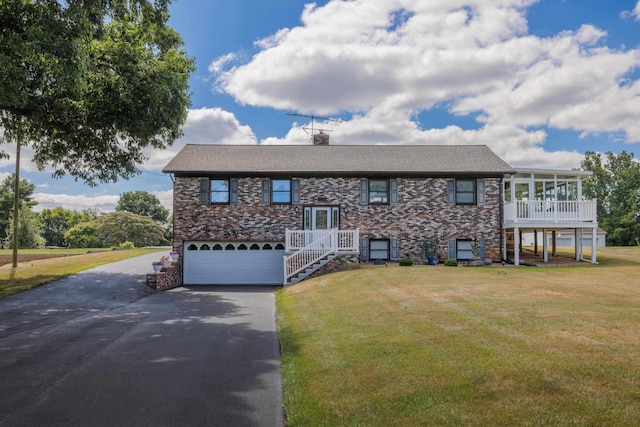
{"points": [[615, 183]]}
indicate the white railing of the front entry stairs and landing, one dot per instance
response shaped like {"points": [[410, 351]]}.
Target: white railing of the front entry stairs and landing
{"points": [[311, 247]]}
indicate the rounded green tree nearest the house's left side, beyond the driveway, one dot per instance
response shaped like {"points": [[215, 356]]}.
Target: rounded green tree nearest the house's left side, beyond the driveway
{"points": [[118, 227]]}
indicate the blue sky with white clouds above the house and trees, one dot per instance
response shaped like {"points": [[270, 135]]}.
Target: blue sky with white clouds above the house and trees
{"points": [[539, 82]]}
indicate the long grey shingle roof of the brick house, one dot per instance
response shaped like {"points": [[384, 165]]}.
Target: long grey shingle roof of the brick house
{"points": [[350, 160]]}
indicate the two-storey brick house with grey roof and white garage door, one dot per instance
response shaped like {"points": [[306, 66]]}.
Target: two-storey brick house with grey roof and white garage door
{"points": [[275, 214]]}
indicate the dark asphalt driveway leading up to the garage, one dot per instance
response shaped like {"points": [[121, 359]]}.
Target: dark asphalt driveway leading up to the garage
{"points": [[101, 349]]}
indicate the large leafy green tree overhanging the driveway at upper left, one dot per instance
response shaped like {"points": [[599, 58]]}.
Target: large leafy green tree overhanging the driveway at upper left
{"points": [[89, 84]]}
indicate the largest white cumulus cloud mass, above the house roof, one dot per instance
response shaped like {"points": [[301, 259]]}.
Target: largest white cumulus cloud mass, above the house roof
{"points": [[382, 63]]}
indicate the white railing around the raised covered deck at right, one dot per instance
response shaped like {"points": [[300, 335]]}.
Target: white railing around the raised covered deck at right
{"points": [[550, 211]]}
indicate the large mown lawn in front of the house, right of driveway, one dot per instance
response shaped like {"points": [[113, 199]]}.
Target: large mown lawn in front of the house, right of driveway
{"points": [[465, 346]]}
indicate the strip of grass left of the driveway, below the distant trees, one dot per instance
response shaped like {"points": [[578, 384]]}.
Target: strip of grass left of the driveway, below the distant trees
{"points": [[37, 272]]}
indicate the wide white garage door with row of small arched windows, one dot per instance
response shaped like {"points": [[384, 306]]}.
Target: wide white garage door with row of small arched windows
{"points": [[222, 263]]}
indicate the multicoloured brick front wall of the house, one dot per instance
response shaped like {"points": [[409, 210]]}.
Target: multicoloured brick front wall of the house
{"points": [[422, 213]]}
